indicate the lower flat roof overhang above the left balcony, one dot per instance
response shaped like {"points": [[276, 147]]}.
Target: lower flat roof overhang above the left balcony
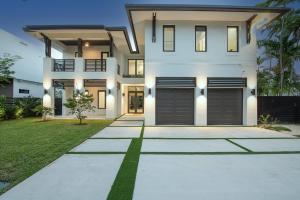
{"points": [[67, 34]]}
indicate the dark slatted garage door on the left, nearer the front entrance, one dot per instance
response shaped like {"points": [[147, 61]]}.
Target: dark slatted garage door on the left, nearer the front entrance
{"points": [[175, 106]]}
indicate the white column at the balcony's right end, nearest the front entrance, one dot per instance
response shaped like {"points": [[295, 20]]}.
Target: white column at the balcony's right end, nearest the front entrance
{"points": [[111, 86]]}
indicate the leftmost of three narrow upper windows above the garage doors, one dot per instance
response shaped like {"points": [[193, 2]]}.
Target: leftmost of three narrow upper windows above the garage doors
{"points": [[169, 38]]}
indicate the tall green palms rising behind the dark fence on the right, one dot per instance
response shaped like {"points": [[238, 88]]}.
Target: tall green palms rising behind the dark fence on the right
{"points": [[282, 42]]}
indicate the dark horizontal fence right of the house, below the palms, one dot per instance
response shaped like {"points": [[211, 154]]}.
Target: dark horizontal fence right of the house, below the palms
{"points": [[284, 108]]}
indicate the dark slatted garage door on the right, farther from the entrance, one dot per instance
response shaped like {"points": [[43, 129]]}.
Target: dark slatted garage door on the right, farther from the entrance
{"points": [[225, 106]]}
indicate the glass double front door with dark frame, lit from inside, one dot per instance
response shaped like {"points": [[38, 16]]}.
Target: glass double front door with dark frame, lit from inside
{"points": [[135, 102]]}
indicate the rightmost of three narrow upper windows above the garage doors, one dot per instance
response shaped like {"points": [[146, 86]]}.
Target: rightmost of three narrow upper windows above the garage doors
{"points": [[232, 39]]}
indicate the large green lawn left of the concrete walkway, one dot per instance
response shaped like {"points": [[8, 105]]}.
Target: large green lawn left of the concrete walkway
{"points": [[27, 145]]}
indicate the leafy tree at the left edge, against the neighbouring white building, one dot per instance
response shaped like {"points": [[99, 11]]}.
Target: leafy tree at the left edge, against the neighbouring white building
{"points": [[6, 62]]}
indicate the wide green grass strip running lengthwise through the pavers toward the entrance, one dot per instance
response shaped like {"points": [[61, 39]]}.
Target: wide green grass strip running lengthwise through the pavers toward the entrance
{"points": [[123, 186]]}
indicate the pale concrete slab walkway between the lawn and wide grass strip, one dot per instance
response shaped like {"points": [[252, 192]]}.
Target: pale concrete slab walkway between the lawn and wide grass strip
{"points": [[86, 172]]}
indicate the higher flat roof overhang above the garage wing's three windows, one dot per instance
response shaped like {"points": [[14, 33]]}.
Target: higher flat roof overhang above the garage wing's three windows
{"points": [[138, 14]]}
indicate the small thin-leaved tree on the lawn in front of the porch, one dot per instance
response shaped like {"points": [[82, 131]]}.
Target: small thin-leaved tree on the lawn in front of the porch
{"points": [[79, 104]]}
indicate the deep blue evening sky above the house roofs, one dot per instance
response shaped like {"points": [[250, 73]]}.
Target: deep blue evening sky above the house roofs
{"points": [[15, 14]]}
